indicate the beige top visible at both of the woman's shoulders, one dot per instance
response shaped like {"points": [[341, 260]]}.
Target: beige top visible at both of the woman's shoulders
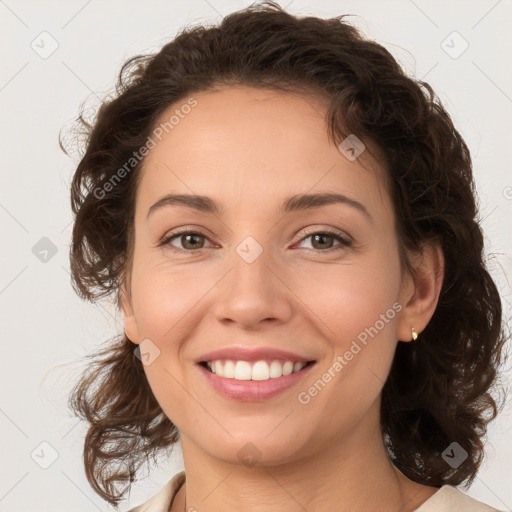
{"points": [[447, 499]]}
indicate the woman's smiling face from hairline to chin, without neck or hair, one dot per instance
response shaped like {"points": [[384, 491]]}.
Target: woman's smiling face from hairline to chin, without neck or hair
{"points": [[264, 272]]}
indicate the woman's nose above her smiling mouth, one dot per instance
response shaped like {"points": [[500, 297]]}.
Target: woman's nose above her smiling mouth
{"points": [[253, 293]]}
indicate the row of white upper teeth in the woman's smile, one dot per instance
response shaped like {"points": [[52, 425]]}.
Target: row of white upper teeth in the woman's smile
{"points": [[260, 370]]}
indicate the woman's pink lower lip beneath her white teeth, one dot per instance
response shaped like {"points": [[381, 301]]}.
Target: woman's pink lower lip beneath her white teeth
{"points": [[254, 390]]}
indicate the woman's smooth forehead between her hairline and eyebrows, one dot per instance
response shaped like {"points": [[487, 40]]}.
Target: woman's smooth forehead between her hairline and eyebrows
{"points": [[251, 143]]}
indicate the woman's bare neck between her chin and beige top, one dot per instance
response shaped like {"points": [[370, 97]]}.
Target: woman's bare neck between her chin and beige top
{"points": [[348, 475]]}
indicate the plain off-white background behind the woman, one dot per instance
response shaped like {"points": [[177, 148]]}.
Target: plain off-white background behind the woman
{"points": [[46, 328]]}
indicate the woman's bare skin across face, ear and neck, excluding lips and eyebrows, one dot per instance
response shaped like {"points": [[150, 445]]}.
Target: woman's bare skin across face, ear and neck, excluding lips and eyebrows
{"points": [[249, 149]]}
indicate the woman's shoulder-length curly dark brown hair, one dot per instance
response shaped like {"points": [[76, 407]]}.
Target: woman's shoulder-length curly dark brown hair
{"points": [[438, 389]]}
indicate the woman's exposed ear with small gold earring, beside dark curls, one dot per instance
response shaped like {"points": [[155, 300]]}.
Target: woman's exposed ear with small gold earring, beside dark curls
{"points": [[420, 291]]}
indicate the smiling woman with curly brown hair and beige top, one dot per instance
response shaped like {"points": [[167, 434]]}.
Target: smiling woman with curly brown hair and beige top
{"points": [[287, 223]]}
